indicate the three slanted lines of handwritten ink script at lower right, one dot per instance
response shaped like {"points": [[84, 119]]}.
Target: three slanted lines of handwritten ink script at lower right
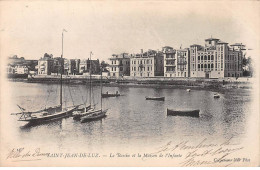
{"points": [[205, 153]]}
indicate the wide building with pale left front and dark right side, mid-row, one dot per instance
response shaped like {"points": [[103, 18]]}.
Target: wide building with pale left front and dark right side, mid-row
{"points": [[148, 64]]}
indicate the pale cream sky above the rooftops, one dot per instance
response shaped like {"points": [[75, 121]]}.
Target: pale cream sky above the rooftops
{"points": [[30, 29]]}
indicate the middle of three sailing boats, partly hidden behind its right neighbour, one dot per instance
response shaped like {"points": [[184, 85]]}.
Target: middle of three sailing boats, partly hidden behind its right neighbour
{"points": [[84, 111]]}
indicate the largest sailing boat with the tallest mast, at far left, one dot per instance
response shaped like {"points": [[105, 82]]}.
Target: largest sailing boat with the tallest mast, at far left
{"points": [[50, 113]]}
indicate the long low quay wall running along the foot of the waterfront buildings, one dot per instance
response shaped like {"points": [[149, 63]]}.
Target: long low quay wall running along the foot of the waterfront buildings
{"points": [[242, 82]]}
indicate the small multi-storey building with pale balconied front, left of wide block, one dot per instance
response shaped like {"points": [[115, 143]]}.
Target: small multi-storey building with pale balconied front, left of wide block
{"points": [[119, 65]]}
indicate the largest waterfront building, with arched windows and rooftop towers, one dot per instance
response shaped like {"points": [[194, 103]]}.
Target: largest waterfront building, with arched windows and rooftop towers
{"points": [[215, 60]]}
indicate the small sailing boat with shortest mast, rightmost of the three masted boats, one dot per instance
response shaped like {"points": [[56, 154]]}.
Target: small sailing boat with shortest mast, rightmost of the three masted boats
{"points": [[94, 114]]}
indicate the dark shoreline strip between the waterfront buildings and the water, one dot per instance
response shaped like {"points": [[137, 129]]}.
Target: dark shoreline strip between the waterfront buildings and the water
{"points": [[220, 85]]}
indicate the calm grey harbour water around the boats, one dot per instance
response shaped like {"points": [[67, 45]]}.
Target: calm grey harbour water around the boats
{"points": [[132, 121]]}
